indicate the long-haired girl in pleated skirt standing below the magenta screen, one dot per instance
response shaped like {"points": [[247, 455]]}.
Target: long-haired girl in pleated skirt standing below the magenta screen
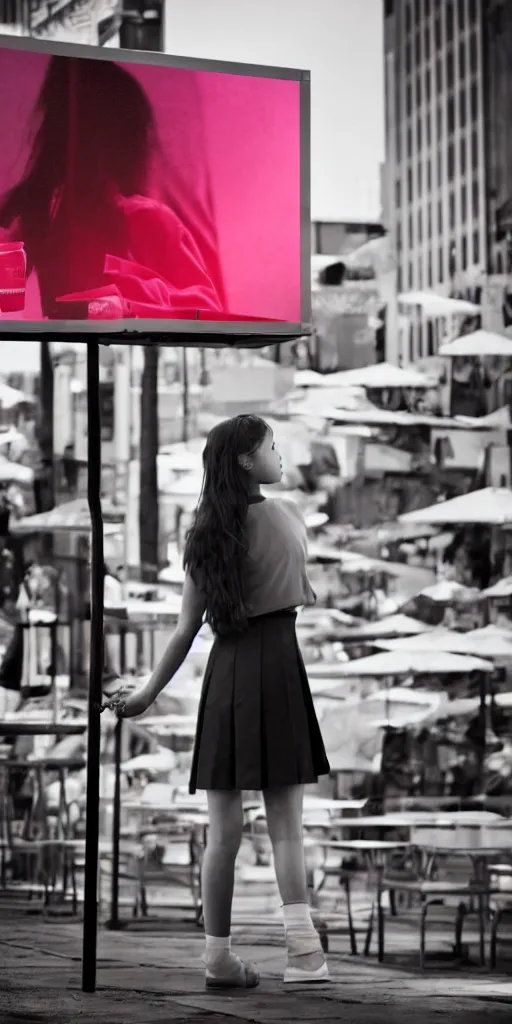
{"points": [[246, 570]]}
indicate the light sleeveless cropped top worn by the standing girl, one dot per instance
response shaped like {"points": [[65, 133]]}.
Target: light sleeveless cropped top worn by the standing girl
{"points": [[275, 575]]}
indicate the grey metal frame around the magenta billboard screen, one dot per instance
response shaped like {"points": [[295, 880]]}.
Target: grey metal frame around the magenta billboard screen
{"points": [[252, 334]]}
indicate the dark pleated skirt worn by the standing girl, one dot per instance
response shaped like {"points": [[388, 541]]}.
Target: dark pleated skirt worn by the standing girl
{"points": [[258, 728]]}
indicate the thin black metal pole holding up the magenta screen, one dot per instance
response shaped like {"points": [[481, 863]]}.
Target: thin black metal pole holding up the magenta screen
{"points": [[96, 670]]}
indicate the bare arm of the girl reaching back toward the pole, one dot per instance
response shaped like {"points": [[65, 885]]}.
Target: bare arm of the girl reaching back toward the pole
{"points": [[190, 622]]}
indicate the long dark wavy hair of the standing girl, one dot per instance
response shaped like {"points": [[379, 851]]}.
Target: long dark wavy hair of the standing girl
{"points": [[217, 543]]}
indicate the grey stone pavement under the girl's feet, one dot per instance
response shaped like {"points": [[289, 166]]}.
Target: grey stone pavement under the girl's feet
{"points": [[147, 978]]}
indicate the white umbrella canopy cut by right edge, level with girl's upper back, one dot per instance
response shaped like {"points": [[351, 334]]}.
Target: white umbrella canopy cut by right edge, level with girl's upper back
{"points": [[491, 506]]}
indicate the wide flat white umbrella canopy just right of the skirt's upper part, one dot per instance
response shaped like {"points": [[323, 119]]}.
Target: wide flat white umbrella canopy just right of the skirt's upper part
{"points": [[403, 663]]}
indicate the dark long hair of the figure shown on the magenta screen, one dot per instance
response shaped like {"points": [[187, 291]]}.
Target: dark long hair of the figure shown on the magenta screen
{"points": [[95, 138]]}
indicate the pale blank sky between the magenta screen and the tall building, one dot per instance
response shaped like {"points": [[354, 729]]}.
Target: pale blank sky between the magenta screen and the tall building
{"points": [[340, 42]]}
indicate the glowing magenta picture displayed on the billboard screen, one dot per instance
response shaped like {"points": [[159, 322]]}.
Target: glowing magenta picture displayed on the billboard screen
{"points": [[133, 191]]}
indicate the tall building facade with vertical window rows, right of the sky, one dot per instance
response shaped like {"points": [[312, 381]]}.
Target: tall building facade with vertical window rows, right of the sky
{"points": [[436, 99]]}
